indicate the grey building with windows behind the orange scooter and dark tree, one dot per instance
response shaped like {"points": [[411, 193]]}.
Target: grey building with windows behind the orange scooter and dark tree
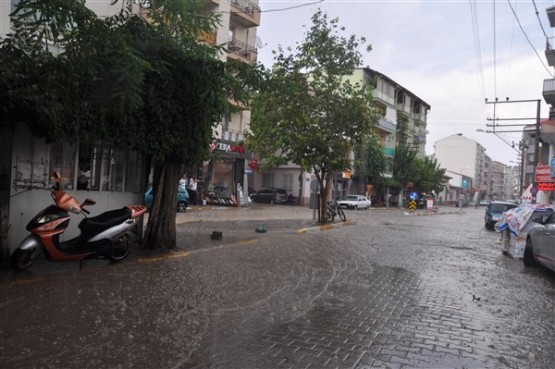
{"points": [[110, 175]]}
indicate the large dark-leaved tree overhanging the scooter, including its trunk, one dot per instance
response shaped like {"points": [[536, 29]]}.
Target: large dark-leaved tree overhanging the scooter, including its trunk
{"points": [[148, 85]]}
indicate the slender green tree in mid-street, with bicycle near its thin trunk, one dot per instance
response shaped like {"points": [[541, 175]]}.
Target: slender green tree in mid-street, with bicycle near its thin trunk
{"points": [[307, 111]]}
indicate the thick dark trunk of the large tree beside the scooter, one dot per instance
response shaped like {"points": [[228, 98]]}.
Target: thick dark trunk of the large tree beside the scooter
{"points": [[160, 231]]}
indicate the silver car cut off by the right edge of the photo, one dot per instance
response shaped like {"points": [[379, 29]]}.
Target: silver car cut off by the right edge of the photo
{"points": [[540, 241]]}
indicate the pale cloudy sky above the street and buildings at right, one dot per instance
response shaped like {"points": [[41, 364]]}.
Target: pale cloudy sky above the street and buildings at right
{"points": [[451, 54]]}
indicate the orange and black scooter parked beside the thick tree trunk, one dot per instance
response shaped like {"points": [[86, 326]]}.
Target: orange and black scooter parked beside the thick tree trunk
{"points": [[105, 236]]}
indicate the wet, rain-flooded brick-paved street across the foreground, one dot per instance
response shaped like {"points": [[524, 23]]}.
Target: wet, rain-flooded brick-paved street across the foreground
{"points": [[388, 291]]}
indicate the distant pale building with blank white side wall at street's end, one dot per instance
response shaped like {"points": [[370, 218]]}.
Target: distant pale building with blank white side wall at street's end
{"points": [[467, 157]]}
